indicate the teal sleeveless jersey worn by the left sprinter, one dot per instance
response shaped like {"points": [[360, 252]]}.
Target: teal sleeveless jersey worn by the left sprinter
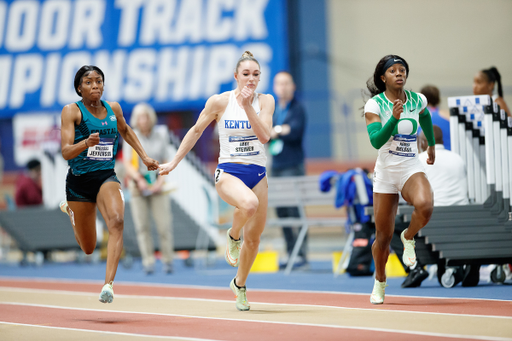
{"points": [[101, 156]]}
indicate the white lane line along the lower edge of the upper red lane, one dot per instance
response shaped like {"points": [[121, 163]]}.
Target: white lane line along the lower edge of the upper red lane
{"points": [[78, 293]]}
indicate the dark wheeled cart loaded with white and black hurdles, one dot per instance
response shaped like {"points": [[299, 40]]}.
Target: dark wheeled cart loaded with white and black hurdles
{"points": [[481, 232]]}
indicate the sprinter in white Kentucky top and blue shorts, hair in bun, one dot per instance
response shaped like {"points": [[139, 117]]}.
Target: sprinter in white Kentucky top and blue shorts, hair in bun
{"points": [[245, 121]]}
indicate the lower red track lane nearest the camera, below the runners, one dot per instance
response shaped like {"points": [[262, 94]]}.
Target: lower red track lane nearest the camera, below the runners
{"points": [[189, 326]]}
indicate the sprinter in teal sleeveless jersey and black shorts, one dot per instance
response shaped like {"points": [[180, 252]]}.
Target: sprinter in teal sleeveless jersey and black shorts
{"points": [[89, 139]]}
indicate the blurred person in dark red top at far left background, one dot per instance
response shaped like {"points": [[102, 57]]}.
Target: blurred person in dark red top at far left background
{"points": [[28, 187]]}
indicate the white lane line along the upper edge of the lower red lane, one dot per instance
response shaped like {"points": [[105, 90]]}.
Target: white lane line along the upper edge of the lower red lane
{"points": [[408, 332]]}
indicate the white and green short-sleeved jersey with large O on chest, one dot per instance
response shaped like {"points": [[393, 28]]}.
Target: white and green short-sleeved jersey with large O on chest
{"points": [[403, 146]]}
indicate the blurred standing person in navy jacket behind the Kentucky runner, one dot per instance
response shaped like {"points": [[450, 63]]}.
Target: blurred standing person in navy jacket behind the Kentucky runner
{"points": [[286, 148]]}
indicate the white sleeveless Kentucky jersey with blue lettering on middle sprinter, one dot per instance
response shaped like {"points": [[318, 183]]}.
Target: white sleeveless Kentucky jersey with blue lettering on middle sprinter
{"points": [[238, 143]]}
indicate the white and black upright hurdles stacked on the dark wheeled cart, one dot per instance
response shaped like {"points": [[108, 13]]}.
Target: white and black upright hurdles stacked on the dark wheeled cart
{"points": [[481, 134]]}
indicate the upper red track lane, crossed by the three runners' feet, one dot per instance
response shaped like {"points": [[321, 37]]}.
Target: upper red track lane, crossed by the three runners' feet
{"points": [[420, 304]]}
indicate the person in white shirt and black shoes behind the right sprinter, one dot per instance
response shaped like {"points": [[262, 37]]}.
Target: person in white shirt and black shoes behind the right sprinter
{"points": [[448, 180]]}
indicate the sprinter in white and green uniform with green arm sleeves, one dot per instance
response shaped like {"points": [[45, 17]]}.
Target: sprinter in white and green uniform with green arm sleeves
{"points": [[392, 118]]}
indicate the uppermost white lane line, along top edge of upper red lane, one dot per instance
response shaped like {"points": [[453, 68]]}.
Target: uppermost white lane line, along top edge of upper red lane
{"points": [[182, 286]]}
